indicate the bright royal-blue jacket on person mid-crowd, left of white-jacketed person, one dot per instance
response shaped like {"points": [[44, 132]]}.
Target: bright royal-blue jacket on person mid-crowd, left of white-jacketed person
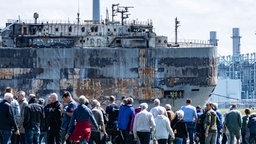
{"points": [[125, 116]]}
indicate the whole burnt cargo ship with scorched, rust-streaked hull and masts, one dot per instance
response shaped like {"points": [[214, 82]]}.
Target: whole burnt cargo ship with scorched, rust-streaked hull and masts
{"points": [[99, 58]]}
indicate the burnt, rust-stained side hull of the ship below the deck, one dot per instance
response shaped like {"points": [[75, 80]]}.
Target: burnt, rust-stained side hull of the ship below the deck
{"points": [[141, 73]]}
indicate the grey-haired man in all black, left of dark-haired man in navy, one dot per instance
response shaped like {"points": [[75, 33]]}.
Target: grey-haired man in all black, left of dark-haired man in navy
{"points": [[53, 120]]}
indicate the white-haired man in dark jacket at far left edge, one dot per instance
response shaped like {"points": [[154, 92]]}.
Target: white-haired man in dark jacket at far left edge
{"points": [[7, 119]]}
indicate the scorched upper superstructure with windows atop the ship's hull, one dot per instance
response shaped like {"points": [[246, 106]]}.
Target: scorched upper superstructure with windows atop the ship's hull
{"points": [[87, 34]]}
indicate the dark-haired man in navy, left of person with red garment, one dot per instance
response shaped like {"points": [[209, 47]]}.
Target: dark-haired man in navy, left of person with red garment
{"points": [[67, 114]]}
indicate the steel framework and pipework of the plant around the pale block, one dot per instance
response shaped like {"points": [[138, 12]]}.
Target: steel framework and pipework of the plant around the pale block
{"points": [[241, 67]]}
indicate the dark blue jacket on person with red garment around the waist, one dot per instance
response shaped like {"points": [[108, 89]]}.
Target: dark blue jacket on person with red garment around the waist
{"points": [[81, 113]]}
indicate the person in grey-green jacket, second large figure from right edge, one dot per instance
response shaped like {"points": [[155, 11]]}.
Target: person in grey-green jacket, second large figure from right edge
{"points": [[233, 121]]}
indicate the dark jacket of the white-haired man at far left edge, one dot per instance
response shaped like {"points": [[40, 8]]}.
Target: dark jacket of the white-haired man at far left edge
{"points": [[7, 118]]}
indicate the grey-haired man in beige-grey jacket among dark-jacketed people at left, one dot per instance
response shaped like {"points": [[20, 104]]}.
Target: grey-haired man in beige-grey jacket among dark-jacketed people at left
{"points": [[22, 103]]}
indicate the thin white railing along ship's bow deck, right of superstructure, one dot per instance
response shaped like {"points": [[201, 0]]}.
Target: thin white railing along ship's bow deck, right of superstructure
{"points": [[191, 43]]}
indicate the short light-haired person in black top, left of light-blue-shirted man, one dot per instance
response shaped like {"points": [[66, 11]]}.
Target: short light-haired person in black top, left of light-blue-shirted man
{"points": [[180, 128]]}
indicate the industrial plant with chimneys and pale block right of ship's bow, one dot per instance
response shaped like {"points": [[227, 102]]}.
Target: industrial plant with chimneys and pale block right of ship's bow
{"points": [[236, 75]]}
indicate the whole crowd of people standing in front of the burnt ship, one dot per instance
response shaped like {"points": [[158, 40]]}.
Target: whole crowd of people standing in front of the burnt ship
{"points": [[31, 120]]}
